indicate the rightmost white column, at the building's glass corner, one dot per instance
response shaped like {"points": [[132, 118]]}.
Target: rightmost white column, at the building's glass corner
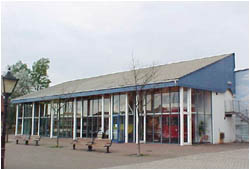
{"points": [[189, 116]]}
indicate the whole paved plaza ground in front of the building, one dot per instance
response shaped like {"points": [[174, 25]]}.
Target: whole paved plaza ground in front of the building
{"points": [[234, 155]]}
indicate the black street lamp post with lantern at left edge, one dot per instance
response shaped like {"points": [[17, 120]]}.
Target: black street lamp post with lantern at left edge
{"points": [[8, 85]]}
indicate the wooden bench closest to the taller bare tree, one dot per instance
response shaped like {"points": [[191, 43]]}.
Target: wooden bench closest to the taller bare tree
{"points": [[100, 142]]}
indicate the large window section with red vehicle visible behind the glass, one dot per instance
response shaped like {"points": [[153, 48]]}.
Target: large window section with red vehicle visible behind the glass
{"points": [[163, 120]]}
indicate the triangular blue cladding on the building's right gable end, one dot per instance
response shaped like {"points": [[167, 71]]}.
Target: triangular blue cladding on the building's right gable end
{"points": [[214, 77]]}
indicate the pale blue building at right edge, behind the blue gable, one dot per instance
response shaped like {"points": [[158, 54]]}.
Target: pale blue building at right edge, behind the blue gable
{"points": [[242, 100]]}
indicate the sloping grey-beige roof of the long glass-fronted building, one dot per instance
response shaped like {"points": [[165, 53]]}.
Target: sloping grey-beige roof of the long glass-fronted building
{"points": [[165, 73]]}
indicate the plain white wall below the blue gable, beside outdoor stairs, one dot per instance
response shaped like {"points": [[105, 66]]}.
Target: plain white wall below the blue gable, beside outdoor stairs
{"points": [[220, 122]]}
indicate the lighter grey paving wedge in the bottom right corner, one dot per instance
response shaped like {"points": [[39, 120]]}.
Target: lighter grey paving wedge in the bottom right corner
{"points": [[237, 159]]}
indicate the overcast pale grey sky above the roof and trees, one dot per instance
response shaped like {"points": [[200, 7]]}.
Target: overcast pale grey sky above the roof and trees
{"points": [[85, 39]]}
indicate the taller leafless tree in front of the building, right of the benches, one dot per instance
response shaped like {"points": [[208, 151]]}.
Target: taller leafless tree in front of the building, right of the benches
{"points": [[140, 78]]}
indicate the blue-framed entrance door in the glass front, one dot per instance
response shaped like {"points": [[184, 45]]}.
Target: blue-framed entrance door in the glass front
{"points": [[118, 129]]}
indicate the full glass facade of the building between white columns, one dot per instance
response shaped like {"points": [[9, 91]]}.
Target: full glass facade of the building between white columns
{"points": [[159, 116]]}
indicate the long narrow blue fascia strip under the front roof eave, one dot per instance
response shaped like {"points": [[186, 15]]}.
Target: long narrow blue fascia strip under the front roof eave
{"points": [[96, 92]]}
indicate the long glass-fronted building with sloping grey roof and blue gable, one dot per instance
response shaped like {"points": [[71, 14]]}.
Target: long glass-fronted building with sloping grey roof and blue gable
{"points": [[183, 104]]}
